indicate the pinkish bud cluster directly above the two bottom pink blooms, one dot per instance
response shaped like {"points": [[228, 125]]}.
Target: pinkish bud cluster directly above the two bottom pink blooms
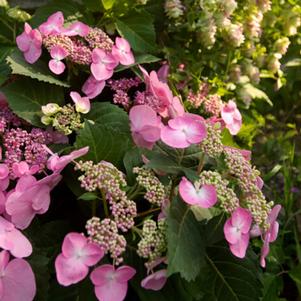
{"points": [[105, 234]]}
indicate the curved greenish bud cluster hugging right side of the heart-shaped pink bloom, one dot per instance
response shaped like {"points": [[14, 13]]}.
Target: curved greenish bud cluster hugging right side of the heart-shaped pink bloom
{"points": [[226, 195]]}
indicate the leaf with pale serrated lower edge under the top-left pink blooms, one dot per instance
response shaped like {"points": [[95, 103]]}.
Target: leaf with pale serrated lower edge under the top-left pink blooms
{"points": [[37, 71]]}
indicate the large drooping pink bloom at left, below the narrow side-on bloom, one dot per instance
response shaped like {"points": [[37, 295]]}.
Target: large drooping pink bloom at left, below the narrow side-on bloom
{"points": [[30, 197]]}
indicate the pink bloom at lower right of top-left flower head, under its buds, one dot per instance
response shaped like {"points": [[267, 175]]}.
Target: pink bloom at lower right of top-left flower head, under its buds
{"points": [[103, 64]]}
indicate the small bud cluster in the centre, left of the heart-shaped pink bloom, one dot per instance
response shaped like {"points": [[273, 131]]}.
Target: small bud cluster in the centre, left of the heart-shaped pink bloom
{"points": [[155, 190]]}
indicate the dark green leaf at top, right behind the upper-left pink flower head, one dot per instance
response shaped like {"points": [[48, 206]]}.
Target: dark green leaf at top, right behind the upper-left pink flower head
{"points": [[139, 30]]}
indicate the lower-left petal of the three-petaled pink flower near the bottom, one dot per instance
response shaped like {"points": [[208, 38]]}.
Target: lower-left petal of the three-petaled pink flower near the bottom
{"points": [[69, 270]]}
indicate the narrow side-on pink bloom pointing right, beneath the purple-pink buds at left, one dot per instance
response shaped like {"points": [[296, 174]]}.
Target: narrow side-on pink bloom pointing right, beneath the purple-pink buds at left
{"points": [[57, 164]]}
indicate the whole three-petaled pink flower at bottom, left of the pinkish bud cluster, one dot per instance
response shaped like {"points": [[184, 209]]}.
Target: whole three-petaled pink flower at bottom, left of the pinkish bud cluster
{"points": [[78, 254]]}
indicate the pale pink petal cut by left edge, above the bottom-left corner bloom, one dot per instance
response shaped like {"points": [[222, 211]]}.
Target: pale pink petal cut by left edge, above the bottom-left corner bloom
{"points": [[11, 239]]}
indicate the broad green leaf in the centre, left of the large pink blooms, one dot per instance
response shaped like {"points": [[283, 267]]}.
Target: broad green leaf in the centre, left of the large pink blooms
{"points": [[105, 142]]}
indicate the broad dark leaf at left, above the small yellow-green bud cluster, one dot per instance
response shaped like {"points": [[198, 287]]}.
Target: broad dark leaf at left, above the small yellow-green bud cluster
{"points": [[26, 96]]}
